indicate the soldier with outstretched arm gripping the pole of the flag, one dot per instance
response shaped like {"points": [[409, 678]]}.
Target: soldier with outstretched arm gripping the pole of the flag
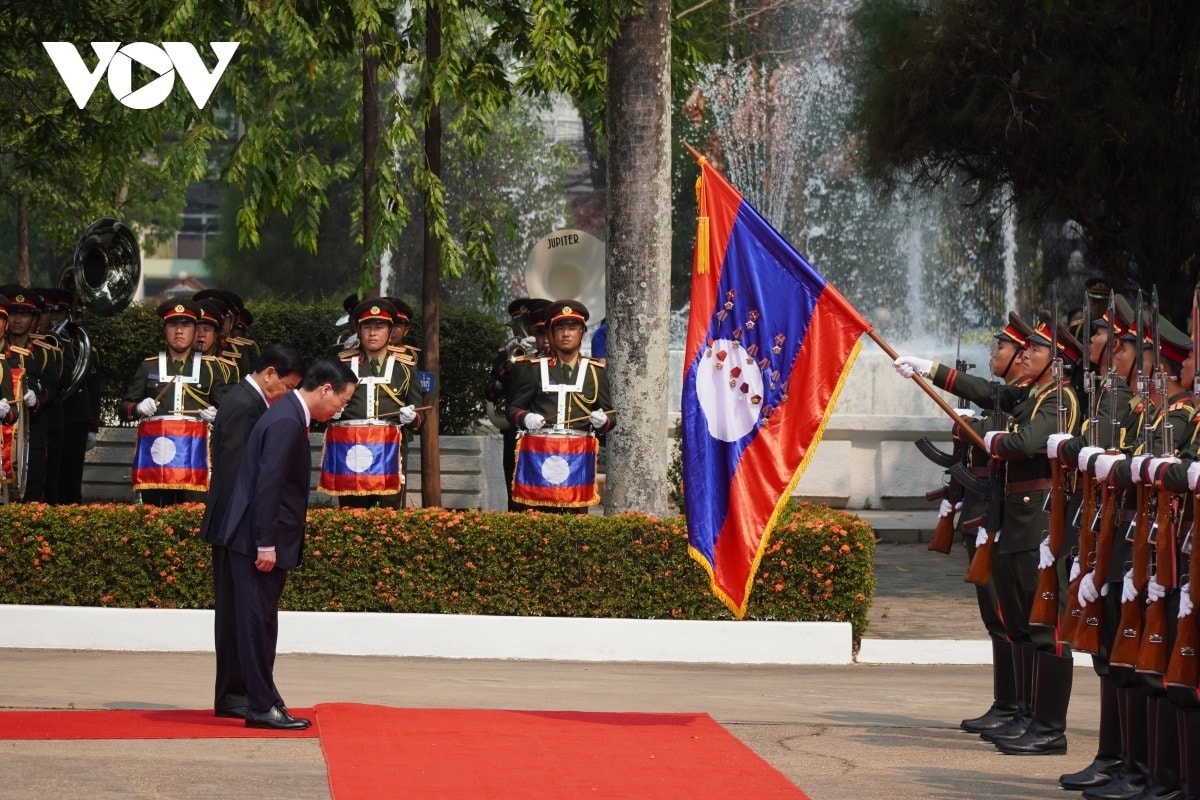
{"points": [[1021, 474]]}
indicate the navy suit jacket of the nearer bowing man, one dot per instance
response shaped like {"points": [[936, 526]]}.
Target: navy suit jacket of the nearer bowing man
{"points": [[271, 498]]}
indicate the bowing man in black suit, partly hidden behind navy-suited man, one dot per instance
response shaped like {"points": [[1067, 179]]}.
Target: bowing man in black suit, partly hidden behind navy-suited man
{"points": [[278, 371]]}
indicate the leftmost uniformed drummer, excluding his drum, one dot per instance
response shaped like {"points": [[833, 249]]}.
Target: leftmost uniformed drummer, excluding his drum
{"points": [[177, 381]]}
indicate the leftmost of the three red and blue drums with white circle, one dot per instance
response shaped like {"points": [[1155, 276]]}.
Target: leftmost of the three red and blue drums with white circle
{"points": [[172, 453]]}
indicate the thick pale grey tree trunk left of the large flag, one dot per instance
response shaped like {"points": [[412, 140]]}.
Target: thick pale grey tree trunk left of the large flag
{"points": [[639, 260]]}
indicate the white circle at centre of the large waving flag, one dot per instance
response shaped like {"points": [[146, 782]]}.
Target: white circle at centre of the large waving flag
{"points": [[729, 386]]}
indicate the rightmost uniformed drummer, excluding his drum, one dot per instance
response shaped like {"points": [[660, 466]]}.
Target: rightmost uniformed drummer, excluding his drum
{"points": [[563, 390]]}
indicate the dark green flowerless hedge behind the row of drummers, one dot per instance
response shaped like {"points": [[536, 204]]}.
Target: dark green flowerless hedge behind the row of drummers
{"points": [[470, 341]]}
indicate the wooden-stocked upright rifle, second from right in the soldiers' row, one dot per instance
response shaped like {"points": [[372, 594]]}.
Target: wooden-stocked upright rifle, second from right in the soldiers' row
{"points": [[1155, 651]]}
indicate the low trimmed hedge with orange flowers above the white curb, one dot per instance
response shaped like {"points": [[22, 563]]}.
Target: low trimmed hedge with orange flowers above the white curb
{"points": [[819, 566]]}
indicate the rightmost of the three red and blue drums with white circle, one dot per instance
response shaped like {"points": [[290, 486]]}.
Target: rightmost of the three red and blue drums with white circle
{"points": [[556, 468]]}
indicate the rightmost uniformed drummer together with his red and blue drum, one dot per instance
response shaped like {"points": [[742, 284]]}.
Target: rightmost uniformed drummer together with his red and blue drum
{"points": [[561, 404]]}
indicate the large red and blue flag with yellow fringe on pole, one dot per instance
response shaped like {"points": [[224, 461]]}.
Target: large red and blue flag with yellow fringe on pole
{"points": [[770, 345]]}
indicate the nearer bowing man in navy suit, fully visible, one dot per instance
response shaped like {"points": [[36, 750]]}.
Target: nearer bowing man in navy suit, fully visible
{"points": [[265, 527]]}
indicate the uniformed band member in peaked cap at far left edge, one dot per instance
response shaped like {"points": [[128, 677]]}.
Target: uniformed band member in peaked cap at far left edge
{"points": [[43, 370]]}
